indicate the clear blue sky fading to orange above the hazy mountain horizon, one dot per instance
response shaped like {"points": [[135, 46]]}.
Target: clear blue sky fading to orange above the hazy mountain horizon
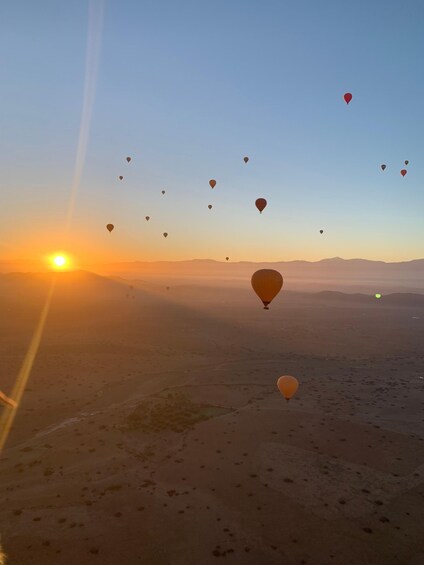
{"points": [[187, 89]]}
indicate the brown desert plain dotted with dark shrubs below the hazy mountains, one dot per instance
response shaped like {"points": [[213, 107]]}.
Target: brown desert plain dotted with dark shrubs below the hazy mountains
{"points": [[152, 431]]}
